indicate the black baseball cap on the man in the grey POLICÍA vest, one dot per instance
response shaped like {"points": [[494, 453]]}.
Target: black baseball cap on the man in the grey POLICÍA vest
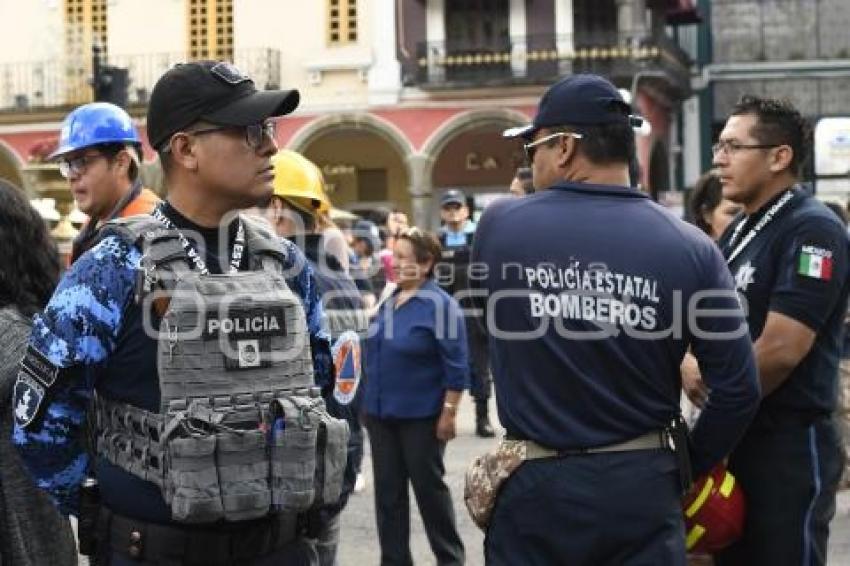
{"points": [[213, 91]]}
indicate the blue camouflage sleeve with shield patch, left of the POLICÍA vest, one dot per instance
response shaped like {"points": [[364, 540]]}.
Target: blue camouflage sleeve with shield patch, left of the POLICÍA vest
{"points": [[76, 332]]}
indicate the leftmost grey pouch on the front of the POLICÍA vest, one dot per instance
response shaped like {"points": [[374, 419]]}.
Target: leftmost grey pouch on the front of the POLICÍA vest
{"points": [[192, 485]]}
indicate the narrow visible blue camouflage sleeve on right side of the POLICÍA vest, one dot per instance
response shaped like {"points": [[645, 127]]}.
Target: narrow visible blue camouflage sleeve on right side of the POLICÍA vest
{"points": [[302, 282]]}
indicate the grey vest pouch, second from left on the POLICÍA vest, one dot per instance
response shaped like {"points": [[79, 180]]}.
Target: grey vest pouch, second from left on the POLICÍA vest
{"points": [[243, 474]]}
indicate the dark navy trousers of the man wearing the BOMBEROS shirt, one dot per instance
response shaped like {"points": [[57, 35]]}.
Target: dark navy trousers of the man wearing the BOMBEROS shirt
{"points": [[619, 508]]}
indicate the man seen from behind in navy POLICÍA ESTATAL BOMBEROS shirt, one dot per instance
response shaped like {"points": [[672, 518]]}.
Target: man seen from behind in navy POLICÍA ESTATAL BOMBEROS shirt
{"points": [[594, 294]]}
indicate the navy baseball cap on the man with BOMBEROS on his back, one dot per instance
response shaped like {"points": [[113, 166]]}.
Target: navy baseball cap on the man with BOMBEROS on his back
{"points": [[581, 100]]}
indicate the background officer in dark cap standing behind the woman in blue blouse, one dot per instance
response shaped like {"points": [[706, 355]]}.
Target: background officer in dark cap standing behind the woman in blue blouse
{"points": [[453, 276]]}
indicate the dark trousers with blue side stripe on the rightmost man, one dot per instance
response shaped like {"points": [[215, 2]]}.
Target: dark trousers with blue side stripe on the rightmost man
{"points": [[789, 477]]}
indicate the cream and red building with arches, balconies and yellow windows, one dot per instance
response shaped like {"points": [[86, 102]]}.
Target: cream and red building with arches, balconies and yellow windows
{"points": [[401, 99]]}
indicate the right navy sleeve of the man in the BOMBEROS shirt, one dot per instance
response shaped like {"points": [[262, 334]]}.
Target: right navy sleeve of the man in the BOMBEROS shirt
{"points": [[722, 346]]}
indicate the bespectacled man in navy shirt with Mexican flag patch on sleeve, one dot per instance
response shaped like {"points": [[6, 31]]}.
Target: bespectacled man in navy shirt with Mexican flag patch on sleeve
{"points": [[789, 256]]}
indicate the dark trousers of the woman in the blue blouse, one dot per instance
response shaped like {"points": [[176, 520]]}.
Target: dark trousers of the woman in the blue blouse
{"points": [[408, 450]]}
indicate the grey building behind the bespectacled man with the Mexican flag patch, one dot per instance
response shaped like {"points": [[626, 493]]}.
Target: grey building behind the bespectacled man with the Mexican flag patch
{"points": [[794, 49]]}
